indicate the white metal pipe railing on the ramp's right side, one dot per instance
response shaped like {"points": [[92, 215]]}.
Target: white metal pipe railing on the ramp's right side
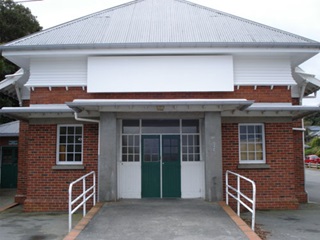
{"points": [[240, 195]]}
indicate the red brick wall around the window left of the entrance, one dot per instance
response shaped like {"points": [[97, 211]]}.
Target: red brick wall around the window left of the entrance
{"points": [[47, 189]]}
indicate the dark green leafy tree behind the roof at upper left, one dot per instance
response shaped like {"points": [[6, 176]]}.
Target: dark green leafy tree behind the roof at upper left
{"points": [[16, 21]]}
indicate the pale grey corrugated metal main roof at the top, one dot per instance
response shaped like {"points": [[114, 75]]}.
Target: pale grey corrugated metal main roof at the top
{"points": [[145, 23]]}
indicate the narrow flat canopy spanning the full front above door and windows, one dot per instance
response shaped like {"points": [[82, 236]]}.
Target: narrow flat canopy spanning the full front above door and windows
{"points": [[93, 107]]}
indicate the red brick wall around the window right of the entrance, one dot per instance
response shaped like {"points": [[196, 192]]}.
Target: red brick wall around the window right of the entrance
{"points": [[277, 187]]}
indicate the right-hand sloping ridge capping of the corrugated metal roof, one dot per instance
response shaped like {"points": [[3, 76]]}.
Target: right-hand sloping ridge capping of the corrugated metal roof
{"points": [[249, 21]]}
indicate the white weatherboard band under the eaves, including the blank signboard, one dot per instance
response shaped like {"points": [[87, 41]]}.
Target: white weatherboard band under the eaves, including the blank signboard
{"points": [[160, 73]]}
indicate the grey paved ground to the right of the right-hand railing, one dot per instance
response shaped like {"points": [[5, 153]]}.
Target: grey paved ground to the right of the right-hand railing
{"points": [[301, 224]]}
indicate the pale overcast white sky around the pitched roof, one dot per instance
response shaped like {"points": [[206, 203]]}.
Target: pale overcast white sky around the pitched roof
{"points": [[295, 16]]}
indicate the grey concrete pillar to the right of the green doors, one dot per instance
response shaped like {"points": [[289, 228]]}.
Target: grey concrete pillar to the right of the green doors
{"points": [[213, 156]]}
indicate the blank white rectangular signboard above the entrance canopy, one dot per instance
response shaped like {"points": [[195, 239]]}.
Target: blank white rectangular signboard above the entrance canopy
{"points": [[160, 74]]}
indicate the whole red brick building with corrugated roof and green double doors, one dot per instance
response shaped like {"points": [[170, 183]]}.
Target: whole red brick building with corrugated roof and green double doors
{"points": [[160, 98]]}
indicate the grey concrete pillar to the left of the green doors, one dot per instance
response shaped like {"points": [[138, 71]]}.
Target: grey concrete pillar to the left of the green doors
{"points": [[107, 172]]}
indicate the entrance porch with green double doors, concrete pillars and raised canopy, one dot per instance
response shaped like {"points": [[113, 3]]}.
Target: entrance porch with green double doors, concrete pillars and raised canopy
{"points": [[119, 178]]}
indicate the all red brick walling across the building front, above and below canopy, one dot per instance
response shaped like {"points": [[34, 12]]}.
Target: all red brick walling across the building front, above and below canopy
{"points": [[45, 189]]}
